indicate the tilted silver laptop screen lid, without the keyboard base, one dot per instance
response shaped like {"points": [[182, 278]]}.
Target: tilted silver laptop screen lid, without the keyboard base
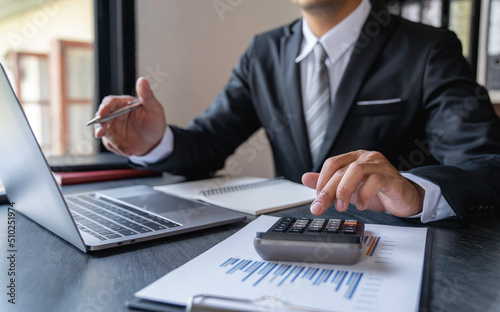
{"points": [[25, 173]]}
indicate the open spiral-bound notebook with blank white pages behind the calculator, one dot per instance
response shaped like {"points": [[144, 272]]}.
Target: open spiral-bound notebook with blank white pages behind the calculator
{"points": [[249, 194]]}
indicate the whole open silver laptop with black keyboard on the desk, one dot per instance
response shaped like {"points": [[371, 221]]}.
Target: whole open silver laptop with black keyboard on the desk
{"points": [[94, 220]]}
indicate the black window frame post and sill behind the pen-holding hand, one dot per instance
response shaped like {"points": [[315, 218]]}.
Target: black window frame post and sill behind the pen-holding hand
{"points": [[115, 73]]}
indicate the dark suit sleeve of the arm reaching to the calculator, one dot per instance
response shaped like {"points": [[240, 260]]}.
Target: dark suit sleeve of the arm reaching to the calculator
{"points": [[463, 132]]}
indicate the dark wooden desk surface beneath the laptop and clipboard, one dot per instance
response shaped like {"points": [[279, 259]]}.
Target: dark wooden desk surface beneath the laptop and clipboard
{"points": [[52, 275]]}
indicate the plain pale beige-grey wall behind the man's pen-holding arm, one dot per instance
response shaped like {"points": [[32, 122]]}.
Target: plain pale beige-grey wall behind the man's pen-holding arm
{"points": [[187, 49]]}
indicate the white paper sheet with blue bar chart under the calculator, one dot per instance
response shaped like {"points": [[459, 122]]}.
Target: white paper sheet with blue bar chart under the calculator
{"points": [[387, 278]]}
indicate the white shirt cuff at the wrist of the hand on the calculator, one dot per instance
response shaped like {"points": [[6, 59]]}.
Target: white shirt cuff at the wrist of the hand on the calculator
{"points": [[435, 205]]}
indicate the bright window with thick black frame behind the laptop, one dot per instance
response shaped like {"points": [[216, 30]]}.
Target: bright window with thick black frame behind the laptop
{"points": [[62, 57]]}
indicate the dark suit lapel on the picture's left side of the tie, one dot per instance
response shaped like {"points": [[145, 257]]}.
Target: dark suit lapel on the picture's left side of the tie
{"points": [[294, 114]]}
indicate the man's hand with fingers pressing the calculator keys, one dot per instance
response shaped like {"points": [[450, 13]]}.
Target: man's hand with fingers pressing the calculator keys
{"points": [[365, 179]]}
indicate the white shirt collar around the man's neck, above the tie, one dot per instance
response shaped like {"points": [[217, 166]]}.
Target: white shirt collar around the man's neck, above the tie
{"points": [[338, 39]]}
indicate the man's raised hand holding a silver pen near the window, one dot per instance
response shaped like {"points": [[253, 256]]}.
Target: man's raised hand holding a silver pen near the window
{"points": [[137, 132]]}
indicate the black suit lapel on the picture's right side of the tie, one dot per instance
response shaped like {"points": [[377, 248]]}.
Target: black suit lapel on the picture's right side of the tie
{"points": [[376, 31]]}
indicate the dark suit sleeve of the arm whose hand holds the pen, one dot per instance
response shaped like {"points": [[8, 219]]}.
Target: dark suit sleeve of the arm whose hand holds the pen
{"points": [[201, 148]]}
